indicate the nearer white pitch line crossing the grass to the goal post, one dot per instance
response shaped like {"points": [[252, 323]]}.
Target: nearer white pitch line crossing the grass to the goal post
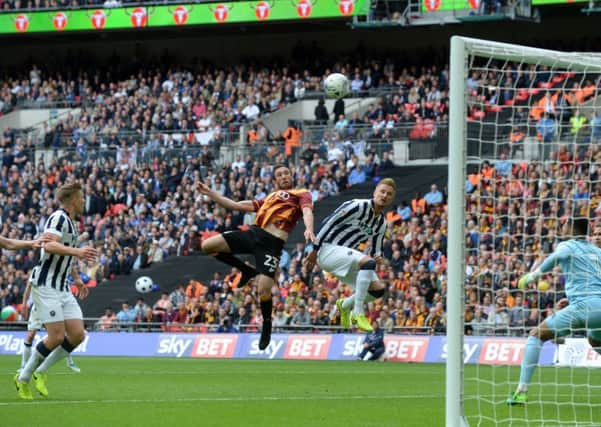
{"points": [[219, 399]]}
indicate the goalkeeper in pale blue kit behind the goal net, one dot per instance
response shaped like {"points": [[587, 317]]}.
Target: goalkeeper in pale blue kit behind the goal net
{"points": [[580, 262]]}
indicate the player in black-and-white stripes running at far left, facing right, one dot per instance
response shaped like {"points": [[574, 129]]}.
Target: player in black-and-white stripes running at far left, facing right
{"points": [[56, 307]]}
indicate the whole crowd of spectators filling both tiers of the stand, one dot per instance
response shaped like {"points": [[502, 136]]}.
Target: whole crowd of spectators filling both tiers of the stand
{"points": [[142, 204]]}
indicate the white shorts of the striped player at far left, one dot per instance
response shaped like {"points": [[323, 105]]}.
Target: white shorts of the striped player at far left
{"points": [[54, 306]]}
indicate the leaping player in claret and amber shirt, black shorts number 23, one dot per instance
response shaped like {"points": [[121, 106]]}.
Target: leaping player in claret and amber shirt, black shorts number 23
{"points": [[277, 215]]}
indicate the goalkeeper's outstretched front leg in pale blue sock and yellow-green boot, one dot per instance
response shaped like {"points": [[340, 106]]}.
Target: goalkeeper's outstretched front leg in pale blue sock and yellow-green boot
{"points": [[557, 325]]}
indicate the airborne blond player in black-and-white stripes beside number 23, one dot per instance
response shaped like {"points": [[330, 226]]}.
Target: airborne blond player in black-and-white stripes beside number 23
{"points": [[355, 222]]}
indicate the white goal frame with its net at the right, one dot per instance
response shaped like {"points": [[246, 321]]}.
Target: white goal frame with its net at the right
{"points": [[482, 124]]}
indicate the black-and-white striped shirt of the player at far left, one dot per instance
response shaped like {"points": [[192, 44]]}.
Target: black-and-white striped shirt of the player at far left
{"points": [[53, 269]]}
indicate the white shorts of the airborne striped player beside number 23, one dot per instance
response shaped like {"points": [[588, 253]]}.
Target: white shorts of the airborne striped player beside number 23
{"points": [[340, 261]]}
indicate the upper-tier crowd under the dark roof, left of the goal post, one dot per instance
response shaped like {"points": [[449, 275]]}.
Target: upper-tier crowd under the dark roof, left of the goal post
{"points": [[194, 105]]}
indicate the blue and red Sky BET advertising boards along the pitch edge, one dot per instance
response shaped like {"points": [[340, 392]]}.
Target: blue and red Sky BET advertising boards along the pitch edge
{"points": [[399, 348]]}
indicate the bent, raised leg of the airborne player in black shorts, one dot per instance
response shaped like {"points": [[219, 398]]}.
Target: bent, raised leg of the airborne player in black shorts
{"points": [[223, 246]]}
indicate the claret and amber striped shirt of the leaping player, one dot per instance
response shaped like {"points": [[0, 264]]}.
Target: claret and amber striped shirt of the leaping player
{"points": [[282, 208]]}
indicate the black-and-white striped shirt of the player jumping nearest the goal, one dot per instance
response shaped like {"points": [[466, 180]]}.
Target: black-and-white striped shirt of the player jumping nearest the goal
{"points": [[354, 222]]}
